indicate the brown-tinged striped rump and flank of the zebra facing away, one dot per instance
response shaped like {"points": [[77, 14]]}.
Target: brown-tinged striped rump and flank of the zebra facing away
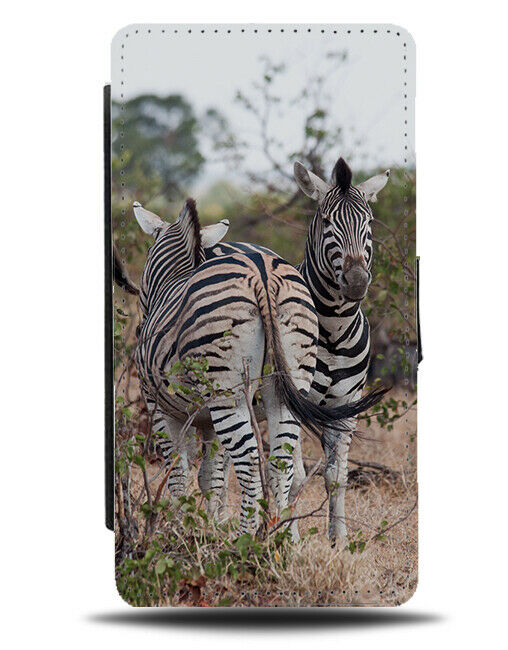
{"points": [[220, 313]]}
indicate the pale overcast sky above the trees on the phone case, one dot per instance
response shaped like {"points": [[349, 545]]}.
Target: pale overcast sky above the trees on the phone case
{"points": [[365, 93]]}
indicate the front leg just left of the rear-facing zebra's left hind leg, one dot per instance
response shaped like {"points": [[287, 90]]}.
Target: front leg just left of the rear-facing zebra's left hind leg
{"points": [[213, 475]]}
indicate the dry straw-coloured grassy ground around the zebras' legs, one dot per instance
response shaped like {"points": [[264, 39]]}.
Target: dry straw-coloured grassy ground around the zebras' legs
{"points": [[385, 573]]}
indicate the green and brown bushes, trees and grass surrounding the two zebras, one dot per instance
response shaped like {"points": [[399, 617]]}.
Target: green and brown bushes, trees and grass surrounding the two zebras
{"points": [[172, 553]]}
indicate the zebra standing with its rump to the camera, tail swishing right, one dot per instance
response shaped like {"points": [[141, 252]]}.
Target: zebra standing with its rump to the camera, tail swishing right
{"points": [[244, 308]]}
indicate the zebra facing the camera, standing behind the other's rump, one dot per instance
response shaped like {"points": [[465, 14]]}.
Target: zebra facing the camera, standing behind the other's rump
{"points": [[337, 271]]}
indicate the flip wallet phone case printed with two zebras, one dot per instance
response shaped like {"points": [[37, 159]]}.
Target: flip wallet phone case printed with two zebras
{"points": [[262, 337]]}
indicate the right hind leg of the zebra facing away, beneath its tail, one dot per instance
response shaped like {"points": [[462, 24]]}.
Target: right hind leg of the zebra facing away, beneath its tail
{"points": [[284, 433]]}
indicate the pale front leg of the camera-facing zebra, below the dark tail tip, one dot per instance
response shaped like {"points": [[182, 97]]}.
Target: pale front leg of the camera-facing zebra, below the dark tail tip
{"points": [[336, 453]]}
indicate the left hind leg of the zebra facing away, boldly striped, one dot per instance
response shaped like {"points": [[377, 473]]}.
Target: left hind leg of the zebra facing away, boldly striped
{"points": [[233, 428]]}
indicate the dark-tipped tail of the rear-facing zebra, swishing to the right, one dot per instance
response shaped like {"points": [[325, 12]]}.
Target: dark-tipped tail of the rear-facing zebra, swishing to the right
{"points": [[313, 416]]}
